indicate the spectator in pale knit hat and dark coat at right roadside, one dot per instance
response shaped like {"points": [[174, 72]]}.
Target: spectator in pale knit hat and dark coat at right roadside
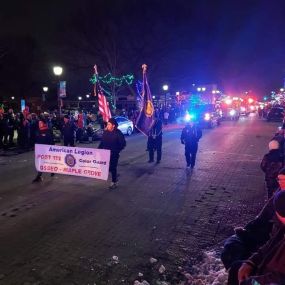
{"points": [[271, 164]]}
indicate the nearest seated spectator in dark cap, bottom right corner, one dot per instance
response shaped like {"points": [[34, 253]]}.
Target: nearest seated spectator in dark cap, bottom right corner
{"points": [[267, 265]]}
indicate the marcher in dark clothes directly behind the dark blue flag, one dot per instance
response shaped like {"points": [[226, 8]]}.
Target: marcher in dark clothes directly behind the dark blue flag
{"points": [[154, 142]]}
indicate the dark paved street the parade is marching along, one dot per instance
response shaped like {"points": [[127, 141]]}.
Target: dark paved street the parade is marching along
{"points": [[67, 229]]}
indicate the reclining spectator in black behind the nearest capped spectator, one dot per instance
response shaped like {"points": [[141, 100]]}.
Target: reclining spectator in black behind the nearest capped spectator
{"points": [[255, 234]]}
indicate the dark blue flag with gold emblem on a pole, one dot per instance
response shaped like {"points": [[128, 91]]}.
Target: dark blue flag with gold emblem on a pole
{"points": [[145, 119]]}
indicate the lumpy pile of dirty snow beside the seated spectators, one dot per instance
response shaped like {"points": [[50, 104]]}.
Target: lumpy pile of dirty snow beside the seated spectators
{"points": [[210, 272]]}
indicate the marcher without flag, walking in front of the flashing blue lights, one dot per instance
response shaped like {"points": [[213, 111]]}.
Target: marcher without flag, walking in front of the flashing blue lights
{"points": [[190, 137]]}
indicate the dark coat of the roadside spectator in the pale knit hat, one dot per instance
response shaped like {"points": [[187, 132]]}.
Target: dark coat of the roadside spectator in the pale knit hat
{"points": [[271, 163]]}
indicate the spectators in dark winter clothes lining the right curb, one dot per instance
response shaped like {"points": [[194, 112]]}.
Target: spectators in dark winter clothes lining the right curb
{"points": [[255, 254]]}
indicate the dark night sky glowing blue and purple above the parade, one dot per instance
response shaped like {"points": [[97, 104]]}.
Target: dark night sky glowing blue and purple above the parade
{"points": [[238, 44]]}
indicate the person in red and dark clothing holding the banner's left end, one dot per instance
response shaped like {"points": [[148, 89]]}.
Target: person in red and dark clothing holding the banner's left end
{"points": [[44, 136]]}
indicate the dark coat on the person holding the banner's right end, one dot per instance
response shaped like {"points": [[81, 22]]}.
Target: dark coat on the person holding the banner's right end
{"points": [[114, 141]]}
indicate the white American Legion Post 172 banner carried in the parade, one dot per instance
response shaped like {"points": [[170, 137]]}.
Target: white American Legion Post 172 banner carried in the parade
{"points": [[78, 161]]}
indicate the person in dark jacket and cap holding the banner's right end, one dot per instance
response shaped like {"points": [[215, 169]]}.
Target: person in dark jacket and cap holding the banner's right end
{"points": [[114, 140]]}
